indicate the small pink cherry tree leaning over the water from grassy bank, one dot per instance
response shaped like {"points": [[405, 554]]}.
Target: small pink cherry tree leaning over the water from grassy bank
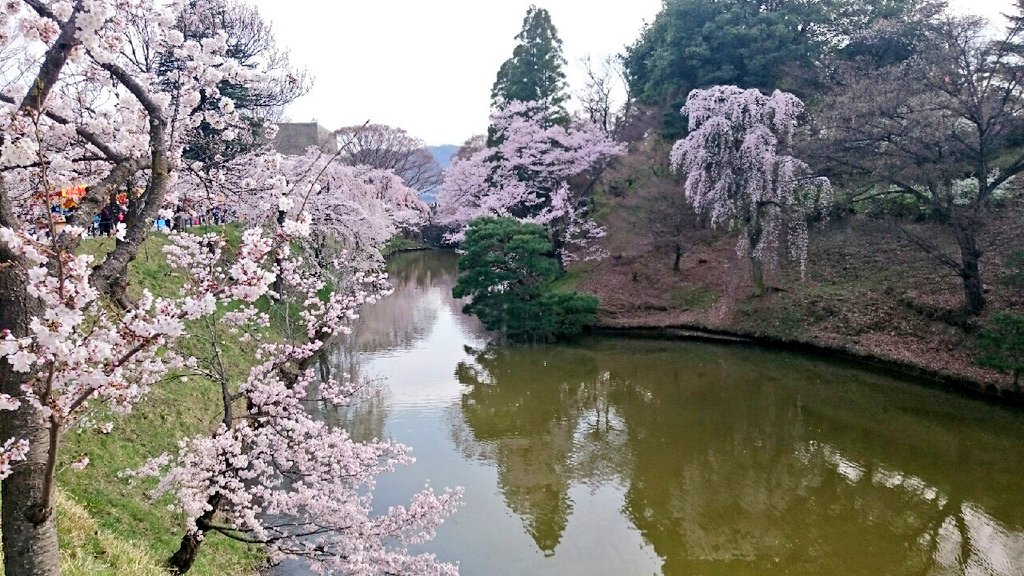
{"points": [[272, 474]]}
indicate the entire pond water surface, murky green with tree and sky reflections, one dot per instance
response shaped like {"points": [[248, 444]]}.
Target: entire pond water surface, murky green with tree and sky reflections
{"points": [[619, 457]]}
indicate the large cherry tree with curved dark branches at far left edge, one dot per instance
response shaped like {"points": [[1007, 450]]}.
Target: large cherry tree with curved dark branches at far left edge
{"points": [[81, 105]]}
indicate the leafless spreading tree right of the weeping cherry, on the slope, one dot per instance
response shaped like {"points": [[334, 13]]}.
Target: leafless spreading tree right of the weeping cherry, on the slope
{"points": [[938, 127]]}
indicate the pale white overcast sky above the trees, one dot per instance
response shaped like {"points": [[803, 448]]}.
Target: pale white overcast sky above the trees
{"points": [[428, 66]]}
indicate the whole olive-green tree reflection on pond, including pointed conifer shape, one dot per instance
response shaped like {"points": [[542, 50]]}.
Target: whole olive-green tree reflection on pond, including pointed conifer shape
{"points": [[745, 463]]}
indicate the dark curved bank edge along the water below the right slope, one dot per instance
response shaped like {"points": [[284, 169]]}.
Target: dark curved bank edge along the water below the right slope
{"points": [[924, 376]]}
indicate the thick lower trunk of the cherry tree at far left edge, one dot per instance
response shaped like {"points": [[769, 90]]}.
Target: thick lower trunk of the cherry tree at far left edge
{"points": [[27, 519]]}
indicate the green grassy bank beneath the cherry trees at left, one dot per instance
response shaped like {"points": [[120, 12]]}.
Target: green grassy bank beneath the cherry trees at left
{"points": [[108, 526]]}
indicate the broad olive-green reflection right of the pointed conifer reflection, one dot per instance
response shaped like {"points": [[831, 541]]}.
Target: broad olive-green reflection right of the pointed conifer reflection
{"points": [[759, 475]]}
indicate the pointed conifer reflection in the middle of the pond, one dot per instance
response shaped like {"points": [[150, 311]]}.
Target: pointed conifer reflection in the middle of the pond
{"points": [[538, 415]]}
